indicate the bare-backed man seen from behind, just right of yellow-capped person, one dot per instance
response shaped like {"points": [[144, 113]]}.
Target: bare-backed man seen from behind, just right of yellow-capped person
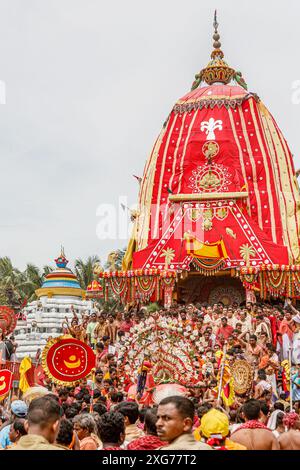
{"points": [[253, 434]]}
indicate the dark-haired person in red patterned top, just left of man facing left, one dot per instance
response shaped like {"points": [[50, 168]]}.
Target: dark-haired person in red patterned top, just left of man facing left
{"points": [[150, 441]]}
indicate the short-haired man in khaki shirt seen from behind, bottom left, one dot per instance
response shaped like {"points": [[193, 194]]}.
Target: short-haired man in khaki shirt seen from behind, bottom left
{"points": [[42, 425]]}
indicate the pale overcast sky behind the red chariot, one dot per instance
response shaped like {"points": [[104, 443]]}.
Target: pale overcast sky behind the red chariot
{"points": [[89, 84]]}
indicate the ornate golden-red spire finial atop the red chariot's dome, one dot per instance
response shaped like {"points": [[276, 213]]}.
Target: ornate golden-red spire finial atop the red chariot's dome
{"points": [[217, 70]]}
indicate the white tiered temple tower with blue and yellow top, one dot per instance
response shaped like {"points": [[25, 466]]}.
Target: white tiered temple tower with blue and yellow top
{"points": [[44, 317]]}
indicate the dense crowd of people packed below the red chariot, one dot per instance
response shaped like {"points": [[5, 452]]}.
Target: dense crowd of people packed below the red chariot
{"points": [[100, 414]]}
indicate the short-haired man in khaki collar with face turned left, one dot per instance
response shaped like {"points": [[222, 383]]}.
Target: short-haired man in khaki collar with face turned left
{"points": [[175, 418]]}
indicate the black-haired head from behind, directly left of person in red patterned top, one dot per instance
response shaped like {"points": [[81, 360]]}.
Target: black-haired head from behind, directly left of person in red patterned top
{"points": [[112, 430]]}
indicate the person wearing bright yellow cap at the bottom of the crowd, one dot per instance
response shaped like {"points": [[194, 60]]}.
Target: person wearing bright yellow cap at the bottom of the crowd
{"points": [[215, 429]]}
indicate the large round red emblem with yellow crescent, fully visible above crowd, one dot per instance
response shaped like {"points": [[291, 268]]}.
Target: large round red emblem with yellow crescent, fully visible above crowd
{"points": [[67, 359]]}
